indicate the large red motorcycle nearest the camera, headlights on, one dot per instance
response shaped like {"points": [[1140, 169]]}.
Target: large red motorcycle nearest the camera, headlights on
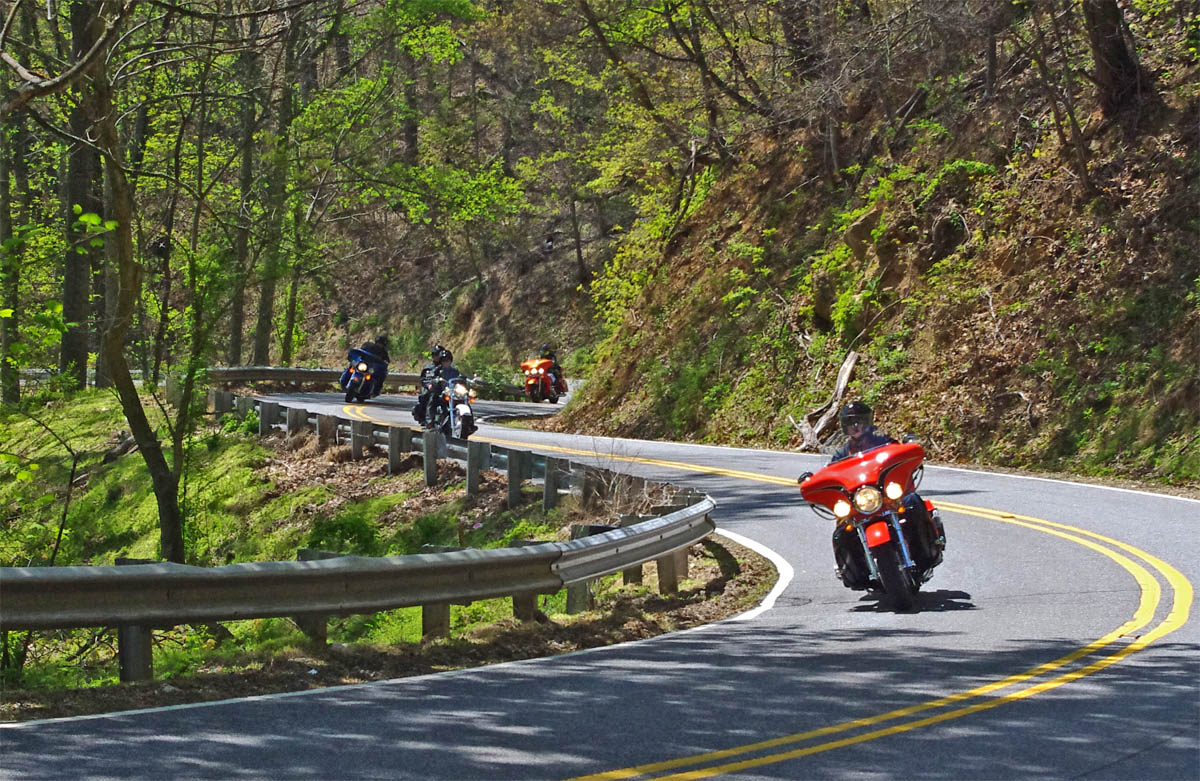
{"points": [[872, 496]]}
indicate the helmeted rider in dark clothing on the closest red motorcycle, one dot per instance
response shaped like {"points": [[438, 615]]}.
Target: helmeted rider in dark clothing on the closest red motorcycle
{"points": [[857, 422]]}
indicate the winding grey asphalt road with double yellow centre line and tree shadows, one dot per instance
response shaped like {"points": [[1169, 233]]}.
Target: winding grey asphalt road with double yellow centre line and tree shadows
{"points": [[1054, 642]]}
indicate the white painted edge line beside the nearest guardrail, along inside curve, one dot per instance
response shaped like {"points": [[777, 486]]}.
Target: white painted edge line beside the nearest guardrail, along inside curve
{"points": [[785, 578]]}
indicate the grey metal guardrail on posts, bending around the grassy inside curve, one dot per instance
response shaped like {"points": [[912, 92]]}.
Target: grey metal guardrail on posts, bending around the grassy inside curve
{"points": [[137, 598]]}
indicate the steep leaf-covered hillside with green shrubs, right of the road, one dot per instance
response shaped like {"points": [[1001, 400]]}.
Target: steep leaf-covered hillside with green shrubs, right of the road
{"points": [[1003, 308]]}
